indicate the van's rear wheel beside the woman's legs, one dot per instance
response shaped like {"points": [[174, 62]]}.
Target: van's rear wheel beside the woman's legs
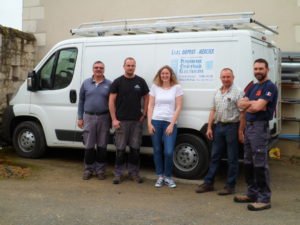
{"points": [[191, 156]]}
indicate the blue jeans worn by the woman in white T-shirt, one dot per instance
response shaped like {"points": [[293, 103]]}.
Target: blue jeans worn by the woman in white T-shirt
{"points": [[163, 147]]}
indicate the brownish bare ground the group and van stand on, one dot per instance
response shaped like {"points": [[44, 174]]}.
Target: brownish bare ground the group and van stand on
{"points": [[53, 193]]}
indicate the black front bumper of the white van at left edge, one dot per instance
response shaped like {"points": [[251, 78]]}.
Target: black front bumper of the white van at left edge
{"points": [[6, 126]]}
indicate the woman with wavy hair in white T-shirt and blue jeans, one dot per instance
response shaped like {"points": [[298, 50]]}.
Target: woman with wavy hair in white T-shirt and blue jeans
{"points": [[165, 104]]}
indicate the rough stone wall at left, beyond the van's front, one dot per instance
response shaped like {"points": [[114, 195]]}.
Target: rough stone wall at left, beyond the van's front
{"points": [[17, 55]]}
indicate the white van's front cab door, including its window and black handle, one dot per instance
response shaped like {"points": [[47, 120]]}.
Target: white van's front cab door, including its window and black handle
{"points": [[55, 103]]}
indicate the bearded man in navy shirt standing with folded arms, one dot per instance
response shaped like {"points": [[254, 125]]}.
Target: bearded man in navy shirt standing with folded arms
{"points": [[259, 103]]}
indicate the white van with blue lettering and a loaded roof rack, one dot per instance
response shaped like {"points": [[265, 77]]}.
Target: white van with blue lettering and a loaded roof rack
{"points": [[44, 110]]}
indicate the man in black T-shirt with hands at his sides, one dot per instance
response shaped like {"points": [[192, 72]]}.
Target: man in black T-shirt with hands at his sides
{"points": [[126, 94]]}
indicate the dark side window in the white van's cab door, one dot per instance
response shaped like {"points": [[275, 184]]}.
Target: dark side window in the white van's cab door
{"points": [[58, 71]]}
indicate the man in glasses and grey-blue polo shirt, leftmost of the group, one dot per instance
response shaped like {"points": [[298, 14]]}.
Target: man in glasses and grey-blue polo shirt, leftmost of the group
{"points": [[94, 119]]}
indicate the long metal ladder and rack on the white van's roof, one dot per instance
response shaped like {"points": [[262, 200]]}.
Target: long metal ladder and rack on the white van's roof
{"points": [[222, 21]]}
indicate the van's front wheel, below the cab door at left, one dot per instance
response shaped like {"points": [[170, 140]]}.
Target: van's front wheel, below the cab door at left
{"points": [[29, 140]]}
